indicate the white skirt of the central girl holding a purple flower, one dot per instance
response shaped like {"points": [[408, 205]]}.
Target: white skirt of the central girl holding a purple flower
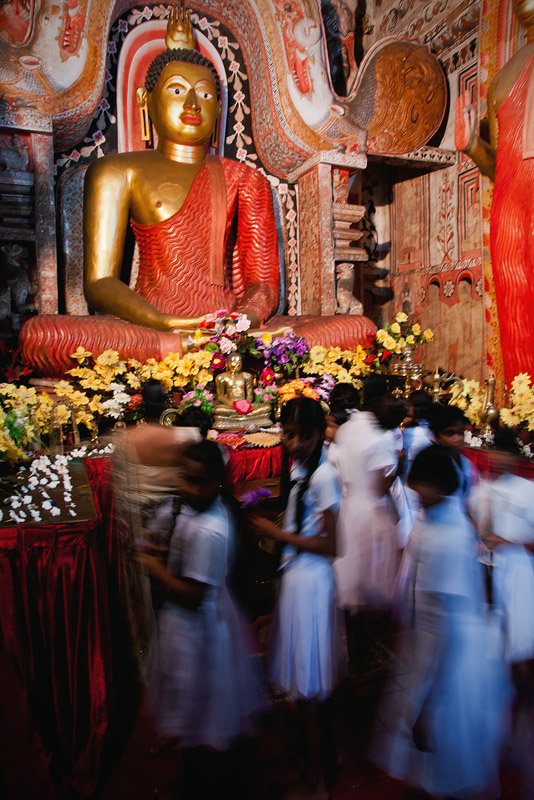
{"points": [[306, 659]]}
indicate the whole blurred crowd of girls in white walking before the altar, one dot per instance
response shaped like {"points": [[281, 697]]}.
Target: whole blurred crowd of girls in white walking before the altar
{"points": [[384, 518]]}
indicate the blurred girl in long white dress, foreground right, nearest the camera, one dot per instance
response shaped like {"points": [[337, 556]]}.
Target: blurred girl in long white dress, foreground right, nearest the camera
{"points": [[445, 732]]}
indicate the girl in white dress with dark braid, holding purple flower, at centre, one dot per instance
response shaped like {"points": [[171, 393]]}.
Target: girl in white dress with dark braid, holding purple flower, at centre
{"points": [[306, 649]]}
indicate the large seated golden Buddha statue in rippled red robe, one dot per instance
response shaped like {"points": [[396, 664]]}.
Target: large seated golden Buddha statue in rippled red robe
{"points": [[204, 225]]}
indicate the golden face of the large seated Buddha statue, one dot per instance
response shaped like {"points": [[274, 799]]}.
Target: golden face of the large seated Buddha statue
{"points": [[183, 105]]}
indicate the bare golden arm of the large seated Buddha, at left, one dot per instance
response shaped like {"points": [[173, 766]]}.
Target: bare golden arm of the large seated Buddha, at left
{"points": [[106, 208]]}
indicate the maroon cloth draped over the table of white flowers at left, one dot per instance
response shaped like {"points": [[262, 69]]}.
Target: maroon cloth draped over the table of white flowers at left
{"points": [[68, 688]]}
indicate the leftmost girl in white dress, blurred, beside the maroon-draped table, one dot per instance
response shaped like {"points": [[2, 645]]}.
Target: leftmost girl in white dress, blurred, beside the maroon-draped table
{"points": [[206, 692]]}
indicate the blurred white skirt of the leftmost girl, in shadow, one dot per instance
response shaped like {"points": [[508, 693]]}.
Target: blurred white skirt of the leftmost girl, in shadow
{"points": [[206, 687]]}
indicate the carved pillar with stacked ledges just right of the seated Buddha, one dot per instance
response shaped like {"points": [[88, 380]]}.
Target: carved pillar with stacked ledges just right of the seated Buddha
{"points": [[324, 228]]}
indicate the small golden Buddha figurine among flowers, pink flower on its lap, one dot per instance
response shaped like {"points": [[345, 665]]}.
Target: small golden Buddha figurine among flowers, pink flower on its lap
{"points": [[231, 387]]}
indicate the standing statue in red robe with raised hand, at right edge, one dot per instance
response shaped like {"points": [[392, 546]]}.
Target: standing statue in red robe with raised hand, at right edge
{"points": [[508, 160]]}
